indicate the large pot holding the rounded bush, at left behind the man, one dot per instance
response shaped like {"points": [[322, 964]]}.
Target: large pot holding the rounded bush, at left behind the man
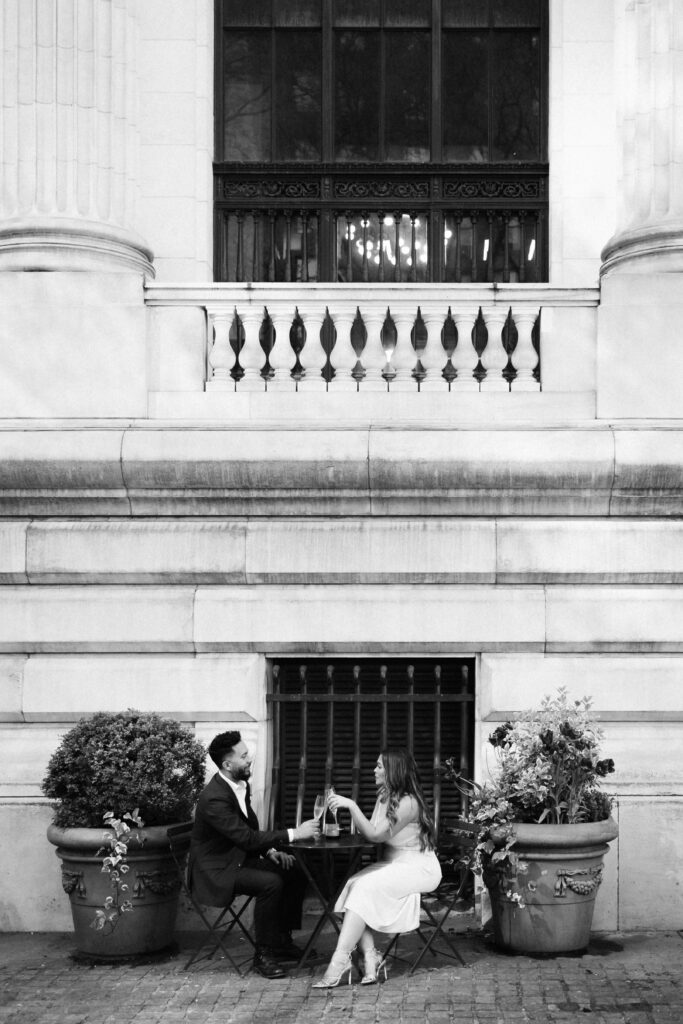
{"points": [[154, 890]]}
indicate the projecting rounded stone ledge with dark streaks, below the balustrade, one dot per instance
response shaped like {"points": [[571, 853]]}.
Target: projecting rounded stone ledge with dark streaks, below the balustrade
{"points": [[202, 471]]}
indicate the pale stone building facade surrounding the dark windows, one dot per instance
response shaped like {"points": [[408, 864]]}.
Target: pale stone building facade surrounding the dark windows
{"points": [[167, 534]]}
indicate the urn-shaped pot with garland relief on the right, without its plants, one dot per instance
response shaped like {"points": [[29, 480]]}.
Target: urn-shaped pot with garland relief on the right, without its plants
{"points": [[562, 871]]}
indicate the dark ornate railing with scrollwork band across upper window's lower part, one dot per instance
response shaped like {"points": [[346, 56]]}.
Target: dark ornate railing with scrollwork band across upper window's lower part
{"points": [[381, 225]]}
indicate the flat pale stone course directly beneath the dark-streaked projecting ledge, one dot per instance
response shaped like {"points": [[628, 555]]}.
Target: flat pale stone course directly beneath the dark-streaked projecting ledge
{"points": [[343, 550]]}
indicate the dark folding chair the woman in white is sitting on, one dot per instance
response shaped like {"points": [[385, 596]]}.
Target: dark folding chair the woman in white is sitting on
{"points": [[439, 905]]}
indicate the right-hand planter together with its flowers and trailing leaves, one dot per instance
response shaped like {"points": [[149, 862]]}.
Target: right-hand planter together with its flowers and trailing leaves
{"points": [[542, 826]]}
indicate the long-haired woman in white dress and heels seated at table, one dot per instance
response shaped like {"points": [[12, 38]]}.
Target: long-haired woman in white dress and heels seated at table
{"points": [[386, 897]]}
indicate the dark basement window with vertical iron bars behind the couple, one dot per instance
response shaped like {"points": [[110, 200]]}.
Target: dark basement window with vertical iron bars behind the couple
{"points": [[332, 718]]}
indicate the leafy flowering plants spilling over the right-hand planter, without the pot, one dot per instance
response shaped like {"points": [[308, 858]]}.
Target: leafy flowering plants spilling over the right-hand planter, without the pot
{"points": [[548, 772]]}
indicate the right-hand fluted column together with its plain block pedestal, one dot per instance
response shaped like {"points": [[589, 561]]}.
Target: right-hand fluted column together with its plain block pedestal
{"points": [[639, 360]]}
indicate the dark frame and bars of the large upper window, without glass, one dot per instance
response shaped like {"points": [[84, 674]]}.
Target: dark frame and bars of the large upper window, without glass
{"points": [[324, 193]]}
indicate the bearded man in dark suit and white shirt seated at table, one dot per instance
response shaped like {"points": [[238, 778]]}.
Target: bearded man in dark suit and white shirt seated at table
{"points": [[230, 856]]}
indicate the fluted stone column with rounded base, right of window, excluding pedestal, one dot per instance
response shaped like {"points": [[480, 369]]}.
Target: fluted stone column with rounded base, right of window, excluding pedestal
{"points": [[650, 91]]}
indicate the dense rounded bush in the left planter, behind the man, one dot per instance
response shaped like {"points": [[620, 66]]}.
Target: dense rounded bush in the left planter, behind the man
{"points": [[114, 761]]}
